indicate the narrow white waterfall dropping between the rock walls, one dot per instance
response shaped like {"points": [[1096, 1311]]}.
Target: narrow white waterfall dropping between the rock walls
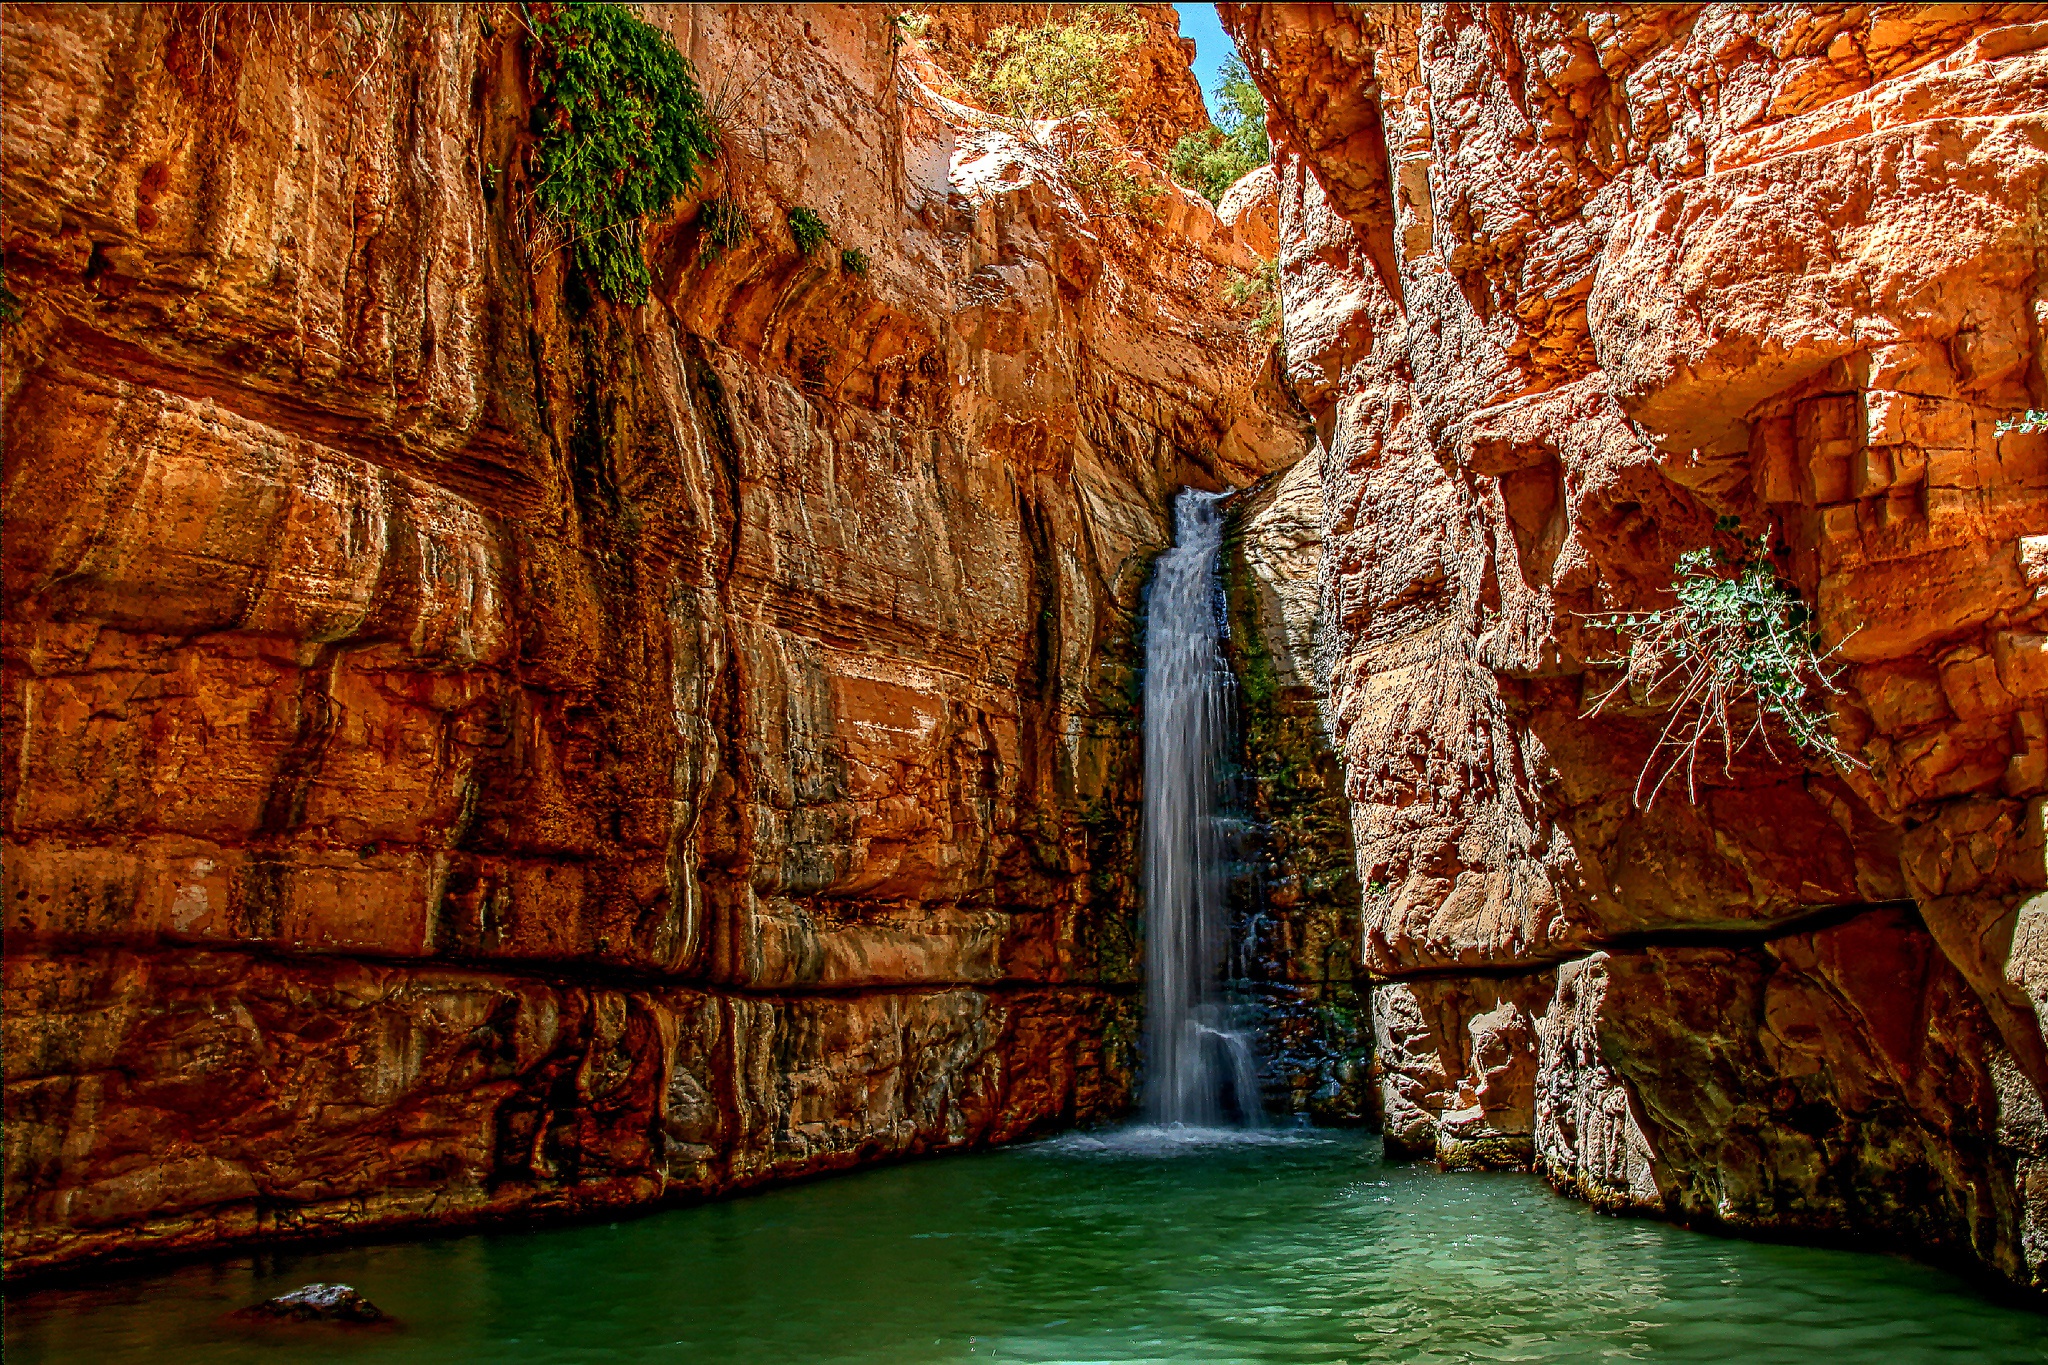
{"points": [[1197, 1069]]}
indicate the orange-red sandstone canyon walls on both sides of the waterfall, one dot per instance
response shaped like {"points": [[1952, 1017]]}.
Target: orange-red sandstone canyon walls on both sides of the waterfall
{"points": [[480, 752]]}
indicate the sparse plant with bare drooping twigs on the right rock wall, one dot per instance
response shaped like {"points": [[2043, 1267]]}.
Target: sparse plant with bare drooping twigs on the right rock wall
{"points": [[1738, 652]]}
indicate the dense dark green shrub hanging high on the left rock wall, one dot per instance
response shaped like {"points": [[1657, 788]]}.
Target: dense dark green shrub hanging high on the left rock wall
{"points": [[622, 132]]}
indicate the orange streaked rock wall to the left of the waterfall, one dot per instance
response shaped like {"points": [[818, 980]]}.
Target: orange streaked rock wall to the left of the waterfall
{"points": [[484, 752]]}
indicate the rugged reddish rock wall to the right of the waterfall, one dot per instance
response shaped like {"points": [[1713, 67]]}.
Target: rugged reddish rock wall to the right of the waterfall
{"points": [[1564, 285]]}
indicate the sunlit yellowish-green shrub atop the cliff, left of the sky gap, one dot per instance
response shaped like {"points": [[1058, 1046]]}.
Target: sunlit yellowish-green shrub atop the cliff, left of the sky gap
{"points": [[1056, 71]]}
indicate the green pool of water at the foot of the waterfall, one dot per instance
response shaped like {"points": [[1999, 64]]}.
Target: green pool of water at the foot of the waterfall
{"points": [[1121, 1247]]}
